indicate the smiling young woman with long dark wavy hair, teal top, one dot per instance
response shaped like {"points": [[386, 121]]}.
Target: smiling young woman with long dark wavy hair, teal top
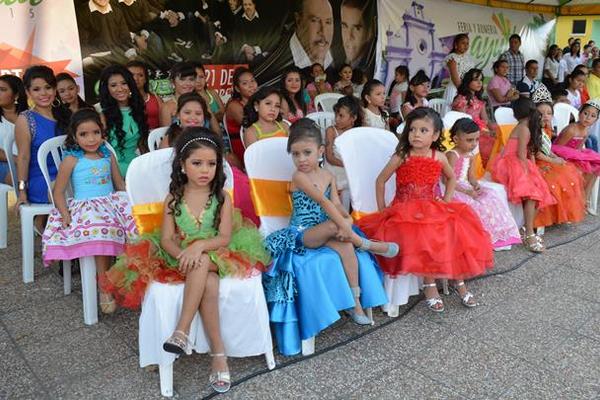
{"points": [[123, 114]]}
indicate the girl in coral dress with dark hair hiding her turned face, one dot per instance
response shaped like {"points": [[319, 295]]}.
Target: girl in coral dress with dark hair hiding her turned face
{"points": [[515, 168]]}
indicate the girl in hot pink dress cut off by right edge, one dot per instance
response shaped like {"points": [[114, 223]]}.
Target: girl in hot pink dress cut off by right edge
{"points": [[570, 146]]}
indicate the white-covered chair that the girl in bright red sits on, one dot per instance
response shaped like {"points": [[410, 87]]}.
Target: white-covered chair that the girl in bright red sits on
{"points": [[365, 151]]}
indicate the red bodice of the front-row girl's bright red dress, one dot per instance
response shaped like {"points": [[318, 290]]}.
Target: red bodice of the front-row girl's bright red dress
{"points": [[417, 178]]}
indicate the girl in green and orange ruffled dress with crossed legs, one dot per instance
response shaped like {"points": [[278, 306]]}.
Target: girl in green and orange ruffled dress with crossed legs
{"points": [[201, 238]]}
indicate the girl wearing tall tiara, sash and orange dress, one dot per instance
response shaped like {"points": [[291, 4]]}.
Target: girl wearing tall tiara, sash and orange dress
{"points": [[564, 179]]}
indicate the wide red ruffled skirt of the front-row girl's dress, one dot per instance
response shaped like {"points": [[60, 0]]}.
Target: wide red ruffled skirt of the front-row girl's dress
{"points": [[436, 239]]}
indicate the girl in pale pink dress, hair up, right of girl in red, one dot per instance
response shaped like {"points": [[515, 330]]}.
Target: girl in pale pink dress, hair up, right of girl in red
{"points": [[491, 208]]}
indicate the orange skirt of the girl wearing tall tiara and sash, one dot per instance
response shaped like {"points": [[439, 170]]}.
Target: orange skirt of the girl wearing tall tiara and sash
{"points": [[566, 185]]}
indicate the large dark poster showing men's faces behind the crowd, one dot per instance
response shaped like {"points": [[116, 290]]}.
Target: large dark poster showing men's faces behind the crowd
{"points": [[266, 35]]}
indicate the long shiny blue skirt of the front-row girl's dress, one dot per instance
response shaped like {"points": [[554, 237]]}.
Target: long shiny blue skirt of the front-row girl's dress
{"points": [[306, 288]]}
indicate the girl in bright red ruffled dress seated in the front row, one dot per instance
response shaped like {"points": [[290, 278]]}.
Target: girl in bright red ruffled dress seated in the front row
{"points": [[438, 238]]}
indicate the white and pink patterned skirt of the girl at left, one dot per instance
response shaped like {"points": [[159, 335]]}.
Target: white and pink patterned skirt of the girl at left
{"points": [[100, 226]]}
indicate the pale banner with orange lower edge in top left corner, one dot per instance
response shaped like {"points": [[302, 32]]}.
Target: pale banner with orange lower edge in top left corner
{"points": [[39, 32]]}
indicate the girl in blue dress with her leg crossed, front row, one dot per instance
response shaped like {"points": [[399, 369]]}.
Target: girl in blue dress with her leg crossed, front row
{"points": [[307, 286]]}
